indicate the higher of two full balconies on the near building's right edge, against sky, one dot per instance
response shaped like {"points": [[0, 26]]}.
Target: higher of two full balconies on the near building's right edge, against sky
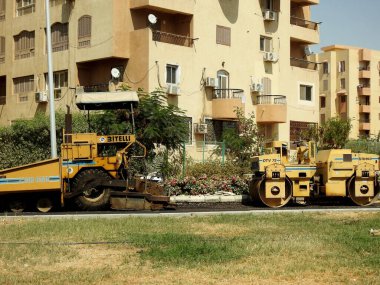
{"points": [[304, 30]]}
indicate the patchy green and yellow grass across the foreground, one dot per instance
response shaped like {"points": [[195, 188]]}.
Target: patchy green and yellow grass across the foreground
{"points": [[246, 249]]}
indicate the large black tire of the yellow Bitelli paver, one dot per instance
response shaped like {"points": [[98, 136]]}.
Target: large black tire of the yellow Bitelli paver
{"points": [[93, 197]]}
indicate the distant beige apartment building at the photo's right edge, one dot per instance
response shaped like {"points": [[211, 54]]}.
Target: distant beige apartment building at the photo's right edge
{"points": [[350, 87]]}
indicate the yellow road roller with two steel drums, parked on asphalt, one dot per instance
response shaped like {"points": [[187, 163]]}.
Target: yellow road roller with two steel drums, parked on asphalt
{"points": [[283, 174]]}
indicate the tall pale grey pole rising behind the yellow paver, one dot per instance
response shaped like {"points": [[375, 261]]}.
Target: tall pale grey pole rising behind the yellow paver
{"points": [[53, 139]]}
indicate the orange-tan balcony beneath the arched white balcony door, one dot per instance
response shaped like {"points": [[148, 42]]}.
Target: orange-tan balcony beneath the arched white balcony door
{"points": [[225, 102]]}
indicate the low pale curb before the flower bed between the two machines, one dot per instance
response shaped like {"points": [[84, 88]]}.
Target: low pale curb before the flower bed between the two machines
{"points": [[209, 198]]}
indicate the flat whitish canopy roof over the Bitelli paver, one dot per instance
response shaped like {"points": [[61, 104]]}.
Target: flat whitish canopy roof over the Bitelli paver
{"points": [[106, 100]]}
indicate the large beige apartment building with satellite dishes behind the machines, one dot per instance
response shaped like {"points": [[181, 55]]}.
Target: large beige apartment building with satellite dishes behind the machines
{"points": [[209, 56]]}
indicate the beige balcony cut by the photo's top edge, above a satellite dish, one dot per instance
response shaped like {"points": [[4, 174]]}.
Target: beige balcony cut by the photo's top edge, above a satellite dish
{"points": [[181, 6]]}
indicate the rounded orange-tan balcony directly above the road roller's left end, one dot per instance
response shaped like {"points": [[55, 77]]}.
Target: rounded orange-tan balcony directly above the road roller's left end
{"points": [[271, 109]]}
